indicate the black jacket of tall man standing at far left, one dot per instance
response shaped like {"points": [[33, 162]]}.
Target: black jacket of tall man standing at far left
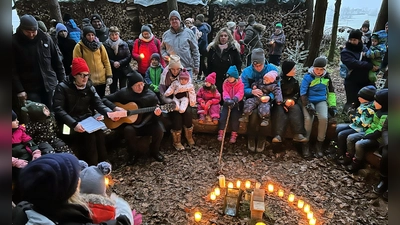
{"points": [[36, 64]]}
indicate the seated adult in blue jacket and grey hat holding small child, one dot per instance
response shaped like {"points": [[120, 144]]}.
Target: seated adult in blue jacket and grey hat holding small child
{"points": [[258, 68]]}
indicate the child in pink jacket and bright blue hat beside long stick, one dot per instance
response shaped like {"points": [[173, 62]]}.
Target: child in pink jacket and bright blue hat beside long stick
{"points": [[232, 93]]}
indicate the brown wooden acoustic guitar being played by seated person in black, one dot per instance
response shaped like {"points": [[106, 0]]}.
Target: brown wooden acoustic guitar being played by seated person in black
{"points": [[133, 113]]}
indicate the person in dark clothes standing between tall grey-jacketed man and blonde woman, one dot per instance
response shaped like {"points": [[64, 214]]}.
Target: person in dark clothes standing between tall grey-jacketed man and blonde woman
{"points": [[205, 29]]}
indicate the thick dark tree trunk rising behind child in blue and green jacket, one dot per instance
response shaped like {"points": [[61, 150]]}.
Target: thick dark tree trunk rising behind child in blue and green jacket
{"points": [[317, 31]]}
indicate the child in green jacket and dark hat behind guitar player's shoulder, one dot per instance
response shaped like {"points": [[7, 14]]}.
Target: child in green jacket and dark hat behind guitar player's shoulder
{"points": [[153, 73]]}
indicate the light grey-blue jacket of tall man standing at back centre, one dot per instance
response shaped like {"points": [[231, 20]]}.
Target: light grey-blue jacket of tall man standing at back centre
{"points": [[183, 43]]}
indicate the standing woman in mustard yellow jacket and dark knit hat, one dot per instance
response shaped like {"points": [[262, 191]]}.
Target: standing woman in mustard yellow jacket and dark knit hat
{"points": [[95, 55]]}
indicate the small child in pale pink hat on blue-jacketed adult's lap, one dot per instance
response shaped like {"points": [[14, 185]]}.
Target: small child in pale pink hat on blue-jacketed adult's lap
{"points": [[268, 85]]}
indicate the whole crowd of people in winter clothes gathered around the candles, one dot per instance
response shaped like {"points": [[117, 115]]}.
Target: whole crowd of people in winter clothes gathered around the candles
{"points": [[60, 80]]}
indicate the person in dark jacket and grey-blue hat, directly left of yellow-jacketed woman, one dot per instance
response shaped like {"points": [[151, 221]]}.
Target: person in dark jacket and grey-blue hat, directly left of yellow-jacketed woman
{"points": [[66, 46]]}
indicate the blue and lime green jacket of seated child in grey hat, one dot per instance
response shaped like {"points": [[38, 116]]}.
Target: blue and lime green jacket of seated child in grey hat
{"points": [[318, 88]]}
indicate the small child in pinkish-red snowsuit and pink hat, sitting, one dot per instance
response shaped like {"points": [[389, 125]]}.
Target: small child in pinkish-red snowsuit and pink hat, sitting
{"points": [[208, 98]]}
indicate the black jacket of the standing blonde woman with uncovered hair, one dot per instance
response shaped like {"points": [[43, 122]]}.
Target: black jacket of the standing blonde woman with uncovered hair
{"points": [[219, 62]]}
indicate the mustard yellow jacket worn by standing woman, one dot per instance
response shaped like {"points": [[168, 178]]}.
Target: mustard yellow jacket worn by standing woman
{"points": [[98, 62]]}
